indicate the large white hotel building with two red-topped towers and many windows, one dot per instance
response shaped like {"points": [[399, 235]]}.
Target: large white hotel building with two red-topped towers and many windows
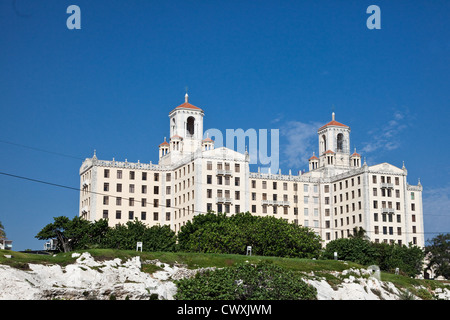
{"points": [[337, 194]]}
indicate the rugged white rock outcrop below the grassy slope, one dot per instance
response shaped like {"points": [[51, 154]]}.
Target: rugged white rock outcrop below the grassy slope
{"points": [[114, 279]]}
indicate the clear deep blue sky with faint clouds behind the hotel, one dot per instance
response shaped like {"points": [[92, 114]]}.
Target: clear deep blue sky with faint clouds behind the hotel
{"points": [[249, 64]]}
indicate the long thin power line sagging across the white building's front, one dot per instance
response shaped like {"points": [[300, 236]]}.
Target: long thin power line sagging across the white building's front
{"points": [[162, 205]]}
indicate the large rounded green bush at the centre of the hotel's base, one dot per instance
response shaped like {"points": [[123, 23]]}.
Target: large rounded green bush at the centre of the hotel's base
{"points": [[268, 236]]}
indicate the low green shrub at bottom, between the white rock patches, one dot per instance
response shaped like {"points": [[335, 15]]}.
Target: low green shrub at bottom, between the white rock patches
{"points": [[246, 282]]}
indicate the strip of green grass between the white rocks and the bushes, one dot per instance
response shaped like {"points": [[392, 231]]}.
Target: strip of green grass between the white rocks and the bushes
{"points": [[199, 260]]}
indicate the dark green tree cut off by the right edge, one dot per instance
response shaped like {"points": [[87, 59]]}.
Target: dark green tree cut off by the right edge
{"points": [[438, 254]]}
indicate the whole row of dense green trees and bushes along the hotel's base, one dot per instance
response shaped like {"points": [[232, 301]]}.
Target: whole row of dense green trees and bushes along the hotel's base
{"points": [[219, 233]]}
